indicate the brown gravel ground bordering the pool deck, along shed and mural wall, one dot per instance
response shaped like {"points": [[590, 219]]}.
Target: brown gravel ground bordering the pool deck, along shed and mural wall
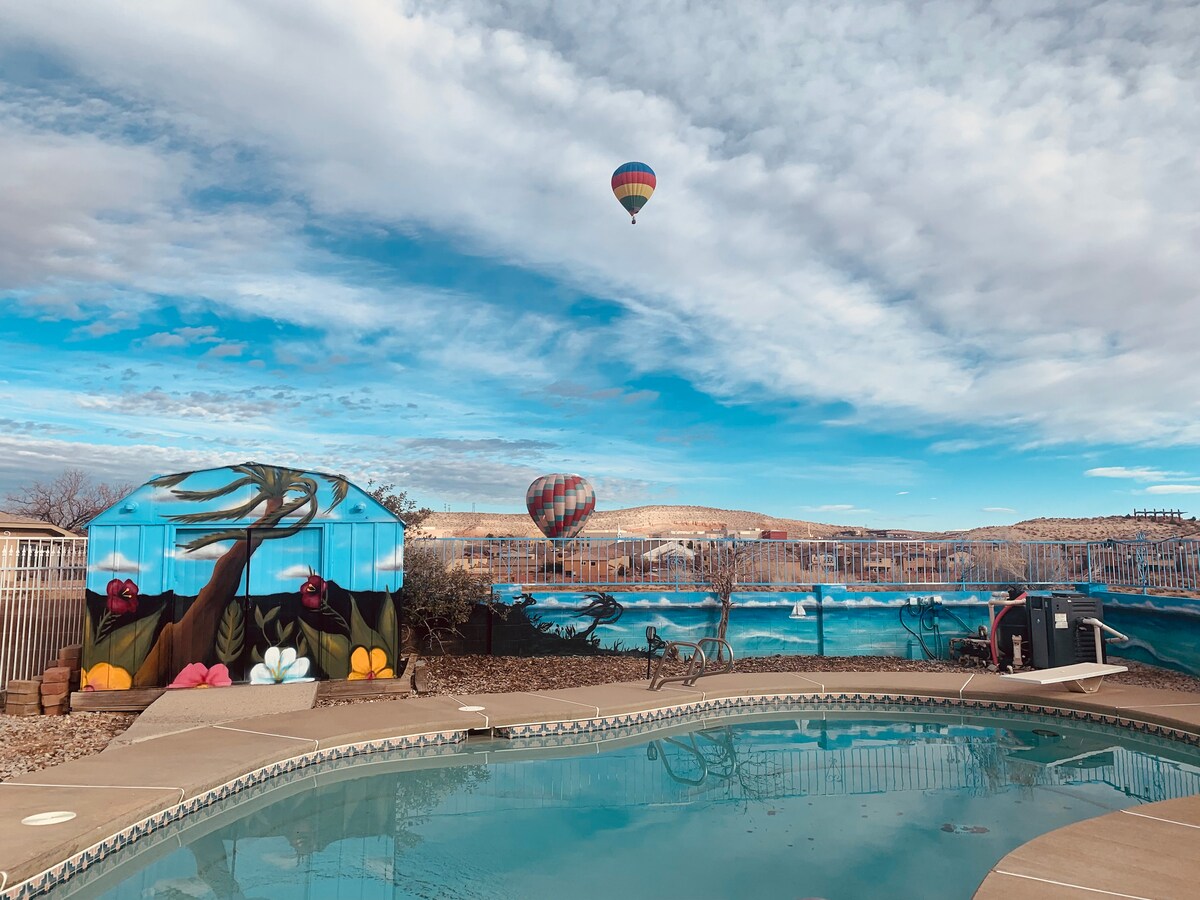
{"points": [[33, 743]]}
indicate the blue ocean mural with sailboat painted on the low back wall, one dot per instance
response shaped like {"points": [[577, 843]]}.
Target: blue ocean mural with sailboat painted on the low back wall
{"points": [[1163, 632]]}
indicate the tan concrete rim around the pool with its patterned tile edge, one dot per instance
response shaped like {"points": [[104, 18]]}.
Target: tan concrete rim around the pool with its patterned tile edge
{"points": [[128, 793]]}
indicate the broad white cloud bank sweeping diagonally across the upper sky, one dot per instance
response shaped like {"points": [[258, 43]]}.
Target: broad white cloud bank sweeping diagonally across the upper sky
{"points": [[854, 189]]}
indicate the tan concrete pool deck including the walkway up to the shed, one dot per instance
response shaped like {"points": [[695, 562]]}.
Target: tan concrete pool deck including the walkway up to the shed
{"points": [[1149, 851]]}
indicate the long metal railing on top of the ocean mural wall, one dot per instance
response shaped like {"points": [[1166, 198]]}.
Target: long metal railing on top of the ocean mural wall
{"points": [[790, 565]]}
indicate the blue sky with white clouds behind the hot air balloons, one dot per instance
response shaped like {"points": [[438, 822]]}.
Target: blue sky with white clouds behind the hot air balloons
{"points": [[928, 266]]}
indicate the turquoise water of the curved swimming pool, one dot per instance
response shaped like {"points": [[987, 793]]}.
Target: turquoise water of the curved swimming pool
{"points": [[796, 805]]}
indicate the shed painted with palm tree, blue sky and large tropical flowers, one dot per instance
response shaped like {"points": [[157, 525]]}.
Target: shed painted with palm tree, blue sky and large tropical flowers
{"points": [[248, 573]]}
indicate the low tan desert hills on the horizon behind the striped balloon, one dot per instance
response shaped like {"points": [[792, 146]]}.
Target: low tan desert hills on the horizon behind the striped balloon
{"points": [[662, 520]]}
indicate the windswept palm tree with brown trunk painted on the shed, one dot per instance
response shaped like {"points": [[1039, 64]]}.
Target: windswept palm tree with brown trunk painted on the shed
{"points": [[280, 494]]}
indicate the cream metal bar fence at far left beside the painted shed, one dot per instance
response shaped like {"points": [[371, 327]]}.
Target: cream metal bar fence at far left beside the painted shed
{"points": [[43, 584]]}
